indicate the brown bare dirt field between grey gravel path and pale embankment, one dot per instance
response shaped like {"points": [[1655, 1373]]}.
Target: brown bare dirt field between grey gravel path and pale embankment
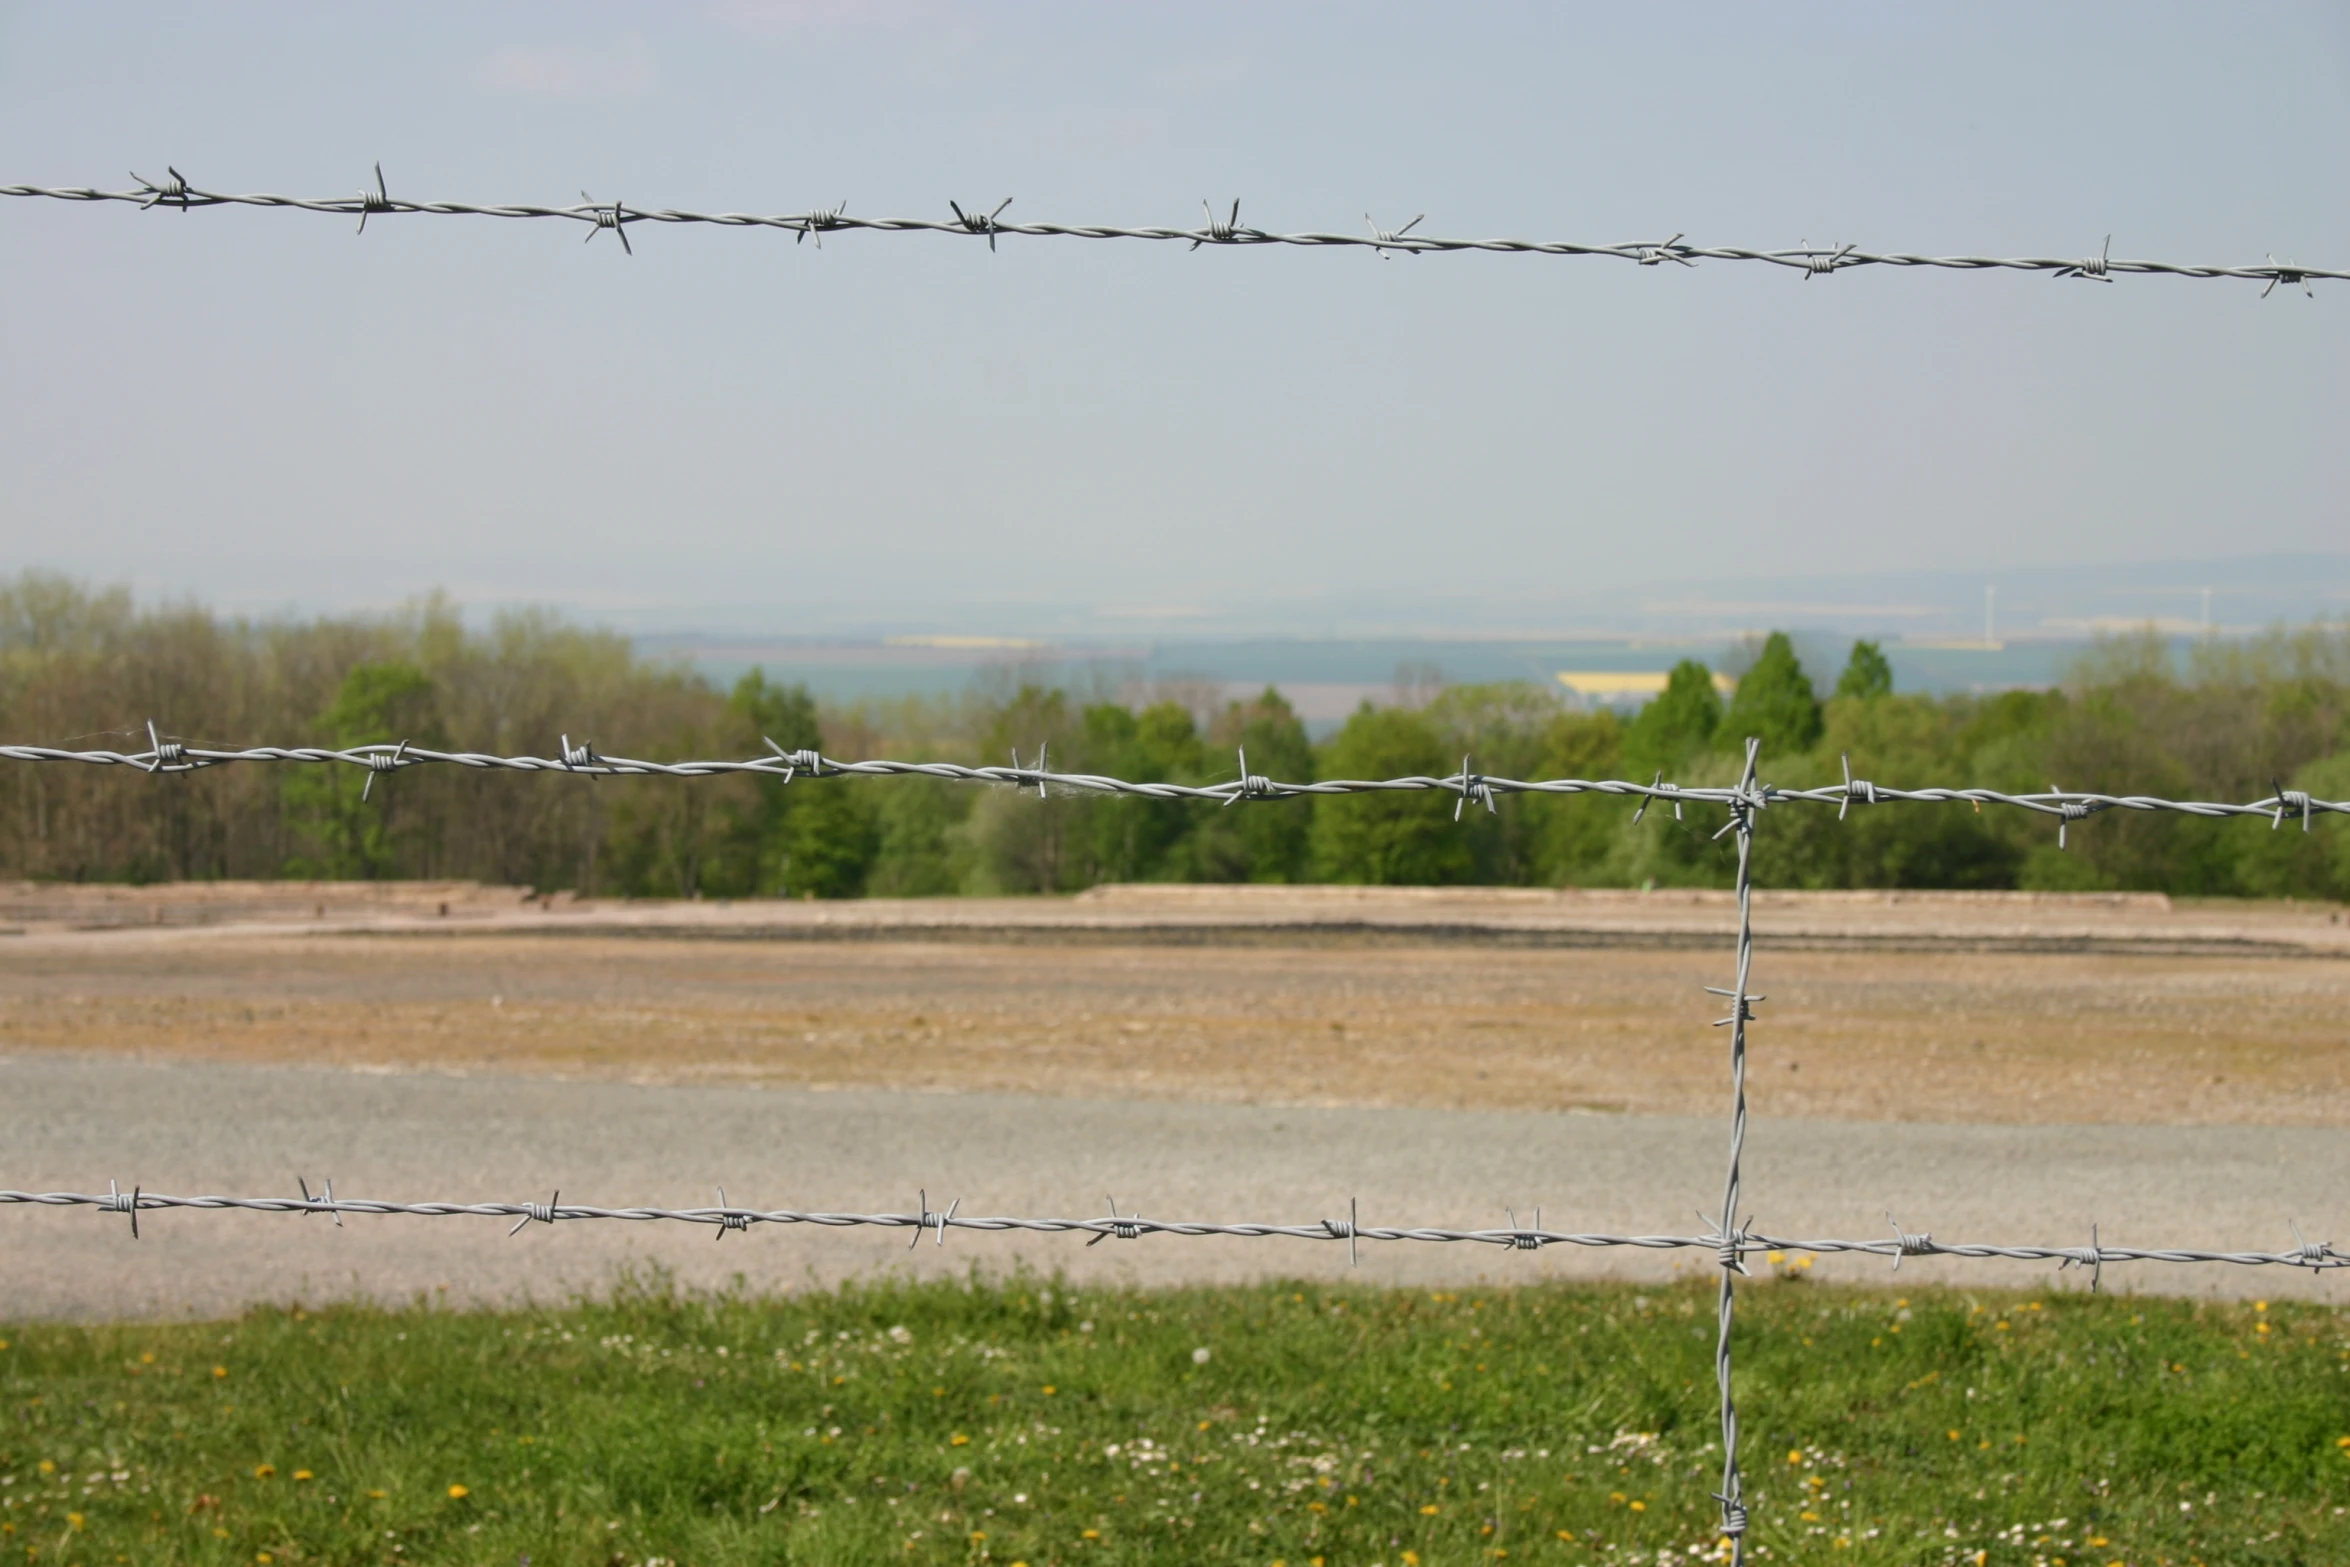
{"points": [[1315, 1016]]}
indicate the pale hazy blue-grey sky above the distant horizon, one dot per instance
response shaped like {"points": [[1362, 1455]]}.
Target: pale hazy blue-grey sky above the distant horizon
{"points": [[269, 412]]}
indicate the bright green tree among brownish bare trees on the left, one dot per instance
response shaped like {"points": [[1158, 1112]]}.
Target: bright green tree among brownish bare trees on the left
{"points": [[347, 826]]}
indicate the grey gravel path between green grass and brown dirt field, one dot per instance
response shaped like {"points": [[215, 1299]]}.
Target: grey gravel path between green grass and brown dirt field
{"points": [[201, 1127]]}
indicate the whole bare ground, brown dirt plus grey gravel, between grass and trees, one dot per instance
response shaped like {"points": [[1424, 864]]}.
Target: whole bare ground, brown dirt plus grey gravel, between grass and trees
{"points": [[1987, 1072]]}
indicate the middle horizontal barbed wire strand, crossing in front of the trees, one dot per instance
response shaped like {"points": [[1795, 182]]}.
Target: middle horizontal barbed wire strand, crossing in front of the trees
{"points": [[1472, 788]]}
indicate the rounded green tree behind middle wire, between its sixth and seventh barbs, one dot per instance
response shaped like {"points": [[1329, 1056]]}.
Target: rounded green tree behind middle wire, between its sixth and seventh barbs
{"points": [[1388, 840]]}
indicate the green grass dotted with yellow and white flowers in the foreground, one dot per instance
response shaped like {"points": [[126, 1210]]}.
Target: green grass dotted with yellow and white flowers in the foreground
{"points": [[1023, 1423]]}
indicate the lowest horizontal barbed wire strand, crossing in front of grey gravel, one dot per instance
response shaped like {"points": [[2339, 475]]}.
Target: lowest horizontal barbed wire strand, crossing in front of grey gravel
{"points": [[1134, 1228]]}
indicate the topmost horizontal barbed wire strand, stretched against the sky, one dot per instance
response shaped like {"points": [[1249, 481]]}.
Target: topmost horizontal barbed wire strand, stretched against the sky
{"points": [[981, 222]]}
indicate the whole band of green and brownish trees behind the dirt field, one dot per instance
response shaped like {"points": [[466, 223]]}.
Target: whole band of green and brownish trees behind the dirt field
{"points": [[90, 668]]}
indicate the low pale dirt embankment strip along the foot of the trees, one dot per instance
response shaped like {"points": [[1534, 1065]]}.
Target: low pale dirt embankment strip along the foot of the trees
{"points": [[1223, 915]]}
